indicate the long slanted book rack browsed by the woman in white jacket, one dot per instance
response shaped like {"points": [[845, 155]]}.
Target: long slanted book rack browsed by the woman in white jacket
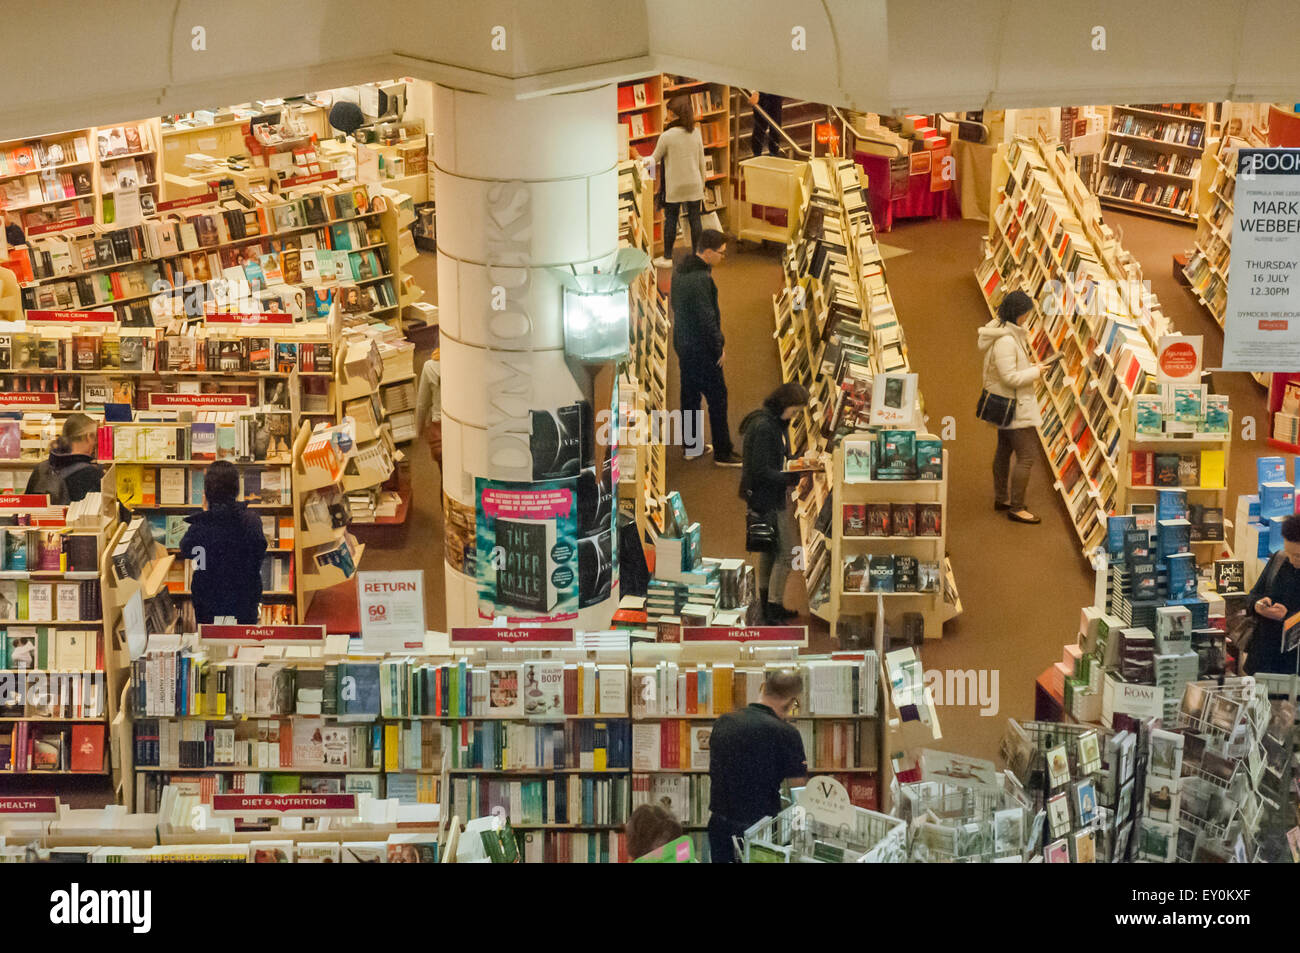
{"points": [[1048, 240]]}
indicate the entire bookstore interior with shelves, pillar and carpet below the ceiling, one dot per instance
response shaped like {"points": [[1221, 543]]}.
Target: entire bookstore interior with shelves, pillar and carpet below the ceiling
{"points": [[492, 630]]}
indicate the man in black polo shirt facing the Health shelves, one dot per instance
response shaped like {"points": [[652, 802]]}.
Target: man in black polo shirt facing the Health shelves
{"points": [[751, 753]]}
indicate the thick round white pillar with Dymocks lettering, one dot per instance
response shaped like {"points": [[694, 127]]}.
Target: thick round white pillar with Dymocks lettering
{"points": [[523, 188]]}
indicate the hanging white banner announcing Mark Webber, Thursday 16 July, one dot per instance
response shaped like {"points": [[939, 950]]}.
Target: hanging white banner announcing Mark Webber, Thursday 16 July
{"points": [[1262, 322]]}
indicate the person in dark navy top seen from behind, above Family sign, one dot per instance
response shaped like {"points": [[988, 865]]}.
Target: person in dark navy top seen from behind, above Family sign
{"points": [[226, 545]]}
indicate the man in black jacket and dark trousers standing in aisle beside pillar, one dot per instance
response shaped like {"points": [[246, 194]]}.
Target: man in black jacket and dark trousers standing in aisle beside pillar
{"points": [[697, 337]]}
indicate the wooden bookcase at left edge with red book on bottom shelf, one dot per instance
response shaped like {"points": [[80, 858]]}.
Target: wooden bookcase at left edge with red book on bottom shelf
{"points": [[60, 674]]}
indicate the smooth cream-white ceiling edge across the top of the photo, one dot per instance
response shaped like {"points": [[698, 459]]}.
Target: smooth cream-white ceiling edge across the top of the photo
{"points": [[70, 64]]}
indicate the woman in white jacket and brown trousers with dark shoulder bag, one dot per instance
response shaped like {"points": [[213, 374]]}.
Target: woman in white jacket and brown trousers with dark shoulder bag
{"points": [[1011, 372]]}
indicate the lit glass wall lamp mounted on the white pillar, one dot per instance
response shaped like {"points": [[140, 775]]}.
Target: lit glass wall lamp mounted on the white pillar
{"points": [[597, 315]]}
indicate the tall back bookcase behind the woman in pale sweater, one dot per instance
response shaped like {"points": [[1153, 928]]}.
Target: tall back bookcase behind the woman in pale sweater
{"points": [[644, 115]]}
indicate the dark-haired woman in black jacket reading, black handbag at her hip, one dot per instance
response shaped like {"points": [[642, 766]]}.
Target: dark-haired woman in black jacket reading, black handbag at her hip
{"points": [[765, 487]]}
